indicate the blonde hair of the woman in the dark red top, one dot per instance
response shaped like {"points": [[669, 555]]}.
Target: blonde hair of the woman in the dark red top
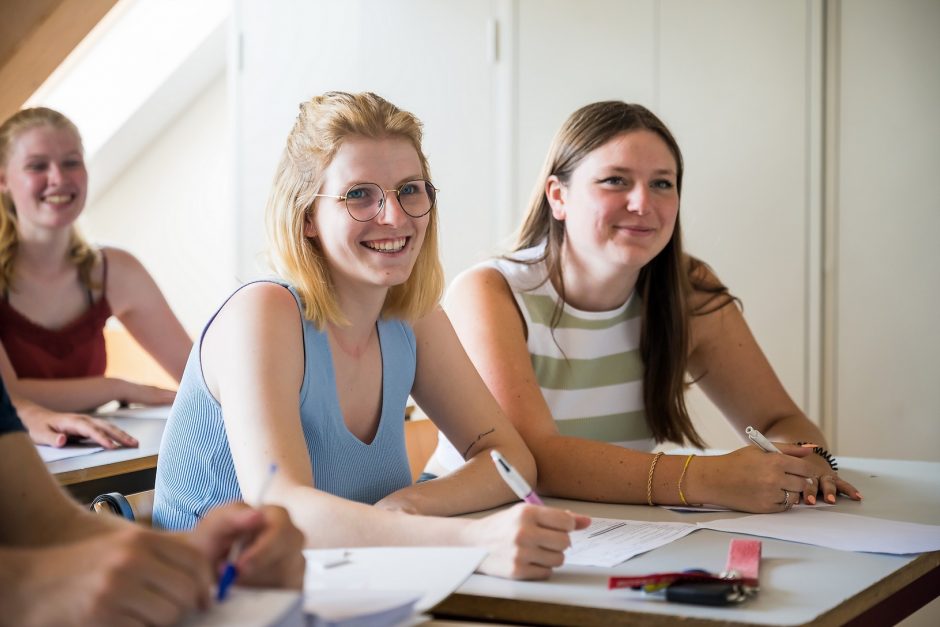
{"points": [[80, 253]]}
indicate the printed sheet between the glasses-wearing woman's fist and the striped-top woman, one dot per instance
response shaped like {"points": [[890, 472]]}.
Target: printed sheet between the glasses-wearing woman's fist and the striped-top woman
{"points": [[608, 542]]}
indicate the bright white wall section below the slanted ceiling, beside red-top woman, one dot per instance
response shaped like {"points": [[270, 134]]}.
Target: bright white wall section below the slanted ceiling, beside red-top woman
{"points": [[171, 207]]}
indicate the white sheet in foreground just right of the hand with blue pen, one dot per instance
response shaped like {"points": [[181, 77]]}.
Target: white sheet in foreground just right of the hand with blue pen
{"points": [[428, 573]]}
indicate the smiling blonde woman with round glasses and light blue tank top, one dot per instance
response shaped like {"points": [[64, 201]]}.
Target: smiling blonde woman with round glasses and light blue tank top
{"points": [[311, 371]]}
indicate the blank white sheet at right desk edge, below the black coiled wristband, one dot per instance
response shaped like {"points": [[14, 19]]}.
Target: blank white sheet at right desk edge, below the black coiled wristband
{"points": [[847, 532]]}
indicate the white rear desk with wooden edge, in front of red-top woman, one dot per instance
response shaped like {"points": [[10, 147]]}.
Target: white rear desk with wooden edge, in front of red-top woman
{"points": [[124, 470]]}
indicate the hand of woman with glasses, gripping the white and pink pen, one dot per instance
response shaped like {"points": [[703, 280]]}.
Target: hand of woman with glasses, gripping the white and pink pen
{"points": [[525, 541]]}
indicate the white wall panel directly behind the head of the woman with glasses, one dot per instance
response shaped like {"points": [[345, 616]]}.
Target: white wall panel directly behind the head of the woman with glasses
{"points": [[428, 57]]}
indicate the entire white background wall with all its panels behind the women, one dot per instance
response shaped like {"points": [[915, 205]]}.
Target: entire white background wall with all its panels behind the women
{"points": [[740, 84]]}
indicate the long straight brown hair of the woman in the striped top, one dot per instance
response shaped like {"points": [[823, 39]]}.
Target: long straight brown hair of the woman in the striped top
{"points": [[664, 284]]}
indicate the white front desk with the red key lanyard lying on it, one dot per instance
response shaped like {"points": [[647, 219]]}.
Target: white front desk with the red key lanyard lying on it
{"points": [[800, 584]]}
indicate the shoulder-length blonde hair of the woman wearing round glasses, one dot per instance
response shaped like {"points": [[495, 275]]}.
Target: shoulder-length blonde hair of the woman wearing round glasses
{"points": [[322, 126]]}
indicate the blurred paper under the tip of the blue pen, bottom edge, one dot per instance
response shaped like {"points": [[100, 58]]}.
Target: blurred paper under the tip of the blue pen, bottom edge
{"points": [[253, 607]]}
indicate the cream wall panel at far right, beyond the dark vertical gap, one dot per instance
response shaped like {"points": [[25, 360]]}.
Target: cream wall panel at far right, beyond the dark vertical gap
{"points": [[886, 381]]}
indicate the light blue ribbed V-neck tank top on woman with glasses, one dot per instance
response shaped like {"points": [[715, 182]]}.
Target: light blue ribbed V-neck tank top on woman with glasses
{"points": [[195, 471]]}
